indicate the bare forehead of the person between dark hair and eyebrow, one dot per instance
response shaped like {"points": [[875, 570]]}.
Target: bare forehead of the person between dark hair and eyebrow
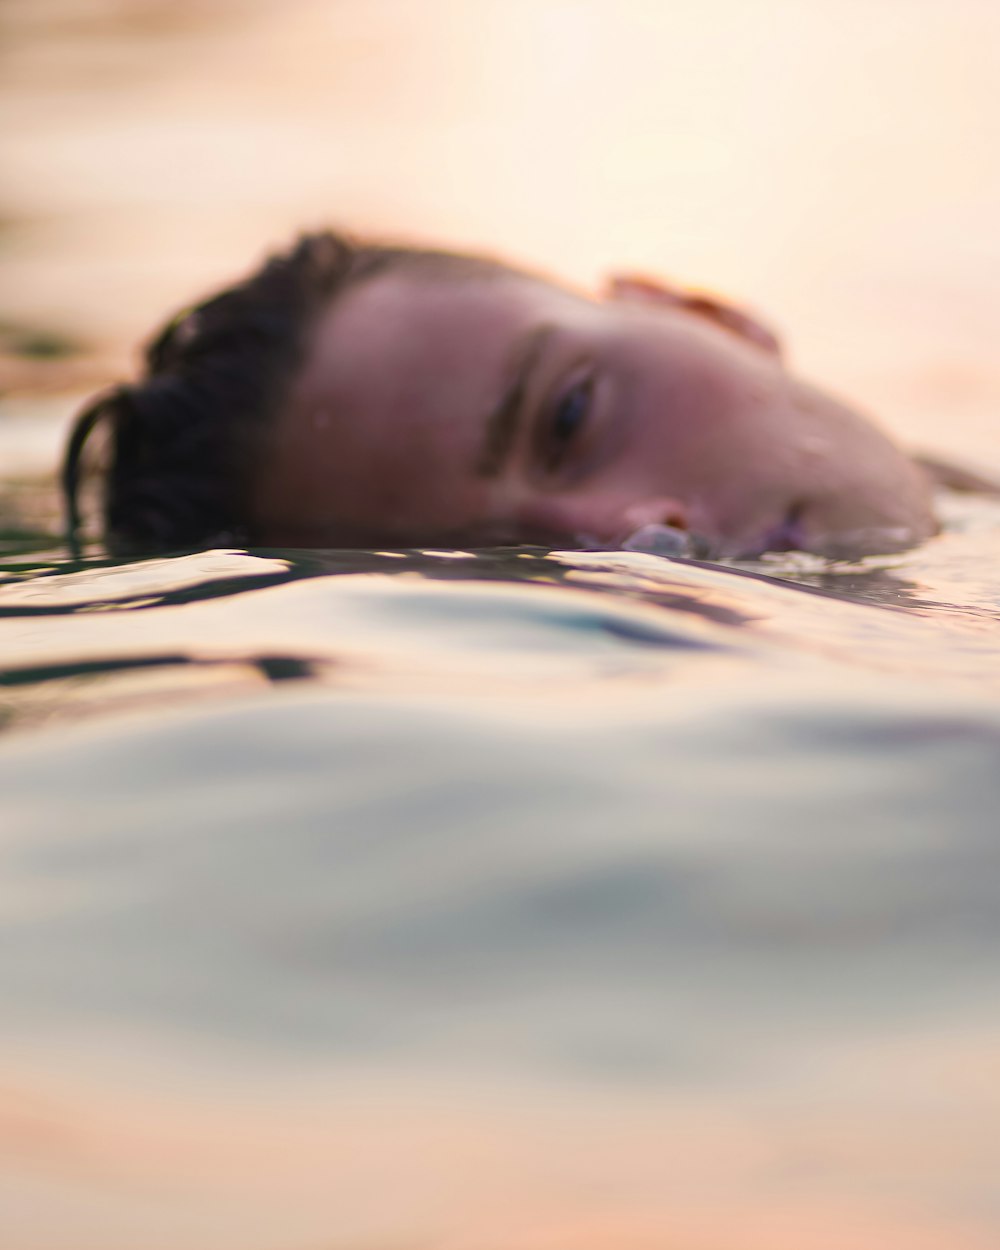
{"points": [[387, 419]]}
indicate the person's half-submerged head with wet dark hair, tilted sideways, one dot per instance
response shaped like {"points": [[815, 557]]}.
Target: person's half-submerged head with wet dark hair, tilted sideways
{"points": [[356, 397]]}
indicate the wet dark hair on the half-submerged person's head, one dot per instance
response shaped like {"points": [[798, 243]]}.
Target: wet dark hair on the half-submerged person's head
{"points": [[186, 439]]}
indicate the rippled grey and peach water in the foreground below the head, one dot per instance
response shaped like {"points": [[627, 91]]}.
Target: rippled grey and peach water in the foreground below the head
{"points": [[502, 899]]}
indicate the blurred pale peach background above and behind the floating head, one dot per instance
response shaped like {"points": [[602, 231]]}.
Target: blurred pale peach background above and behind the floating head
{"points": [[833, 163]]}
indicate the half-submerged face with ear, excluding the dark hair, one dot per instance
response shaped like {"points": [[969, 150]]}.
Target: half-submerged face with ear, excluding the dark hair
{"points": [[498, 408]]}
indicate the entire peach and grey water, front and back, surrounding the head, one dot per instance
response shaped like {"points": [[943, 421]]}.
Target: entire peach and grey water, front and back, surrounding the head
{"points": [[509, 901]]}
